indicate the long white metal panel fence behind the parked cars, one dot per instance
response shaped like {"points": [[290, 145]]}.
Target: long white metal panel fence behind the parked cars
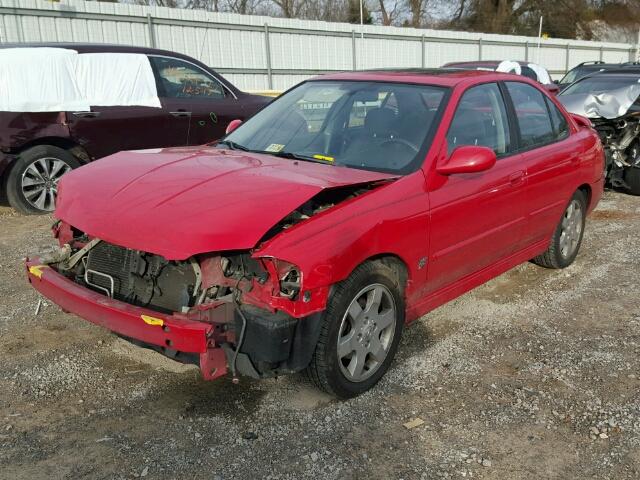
{"points": [[257, 52]]}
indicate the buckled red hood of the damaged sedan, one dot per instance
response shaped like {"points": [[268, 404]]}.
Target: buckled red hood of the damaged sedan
{"points": [[183, 201]]}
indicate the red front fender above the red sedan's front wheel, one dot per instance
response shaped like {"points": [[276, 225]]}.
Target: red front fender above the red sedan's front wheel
{"points": [[391, 220]]}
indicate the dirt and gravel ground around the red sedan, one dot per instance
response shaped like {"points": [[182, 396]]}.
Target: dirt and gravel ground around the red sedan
{"points": [[535, 375]]}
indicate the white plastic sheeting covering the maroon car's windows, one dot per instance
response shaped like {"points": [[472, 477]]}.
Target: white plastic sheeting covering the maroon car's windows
{"points": [[60, 79]]}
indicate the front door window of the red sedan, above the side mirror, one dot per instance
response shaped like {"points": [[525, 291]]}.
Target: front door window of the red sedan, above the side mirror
{"points": [[480, 119]]}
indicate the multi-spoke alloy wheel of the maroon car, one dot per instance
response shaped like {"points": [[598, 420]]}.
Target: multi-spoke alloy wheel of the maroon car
{"points": [[33, 180]]}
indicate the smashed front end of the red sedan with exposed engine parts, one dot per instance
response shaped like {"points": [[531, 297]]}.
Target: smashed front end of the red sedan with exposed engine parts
{"points": [[242, 312]]}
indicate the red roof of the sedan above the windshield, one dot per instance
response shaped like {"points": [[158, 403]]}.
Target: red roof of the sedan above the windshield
{"points": [[447, 77]]}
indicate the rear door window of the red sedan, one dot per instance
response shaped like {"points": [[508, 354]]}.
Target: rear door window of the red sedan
{"points": [[532, 115]]}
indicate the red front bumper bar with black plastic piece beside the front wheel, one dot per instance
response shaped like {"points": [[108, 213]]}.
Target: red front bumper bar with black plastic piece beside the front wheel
{"points": [[268, 344]]}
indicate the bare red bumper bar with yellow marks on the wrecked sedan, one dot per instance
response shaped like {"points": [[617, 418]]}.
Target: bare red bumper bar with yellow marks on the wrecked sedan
{"points": [[173, 332]]}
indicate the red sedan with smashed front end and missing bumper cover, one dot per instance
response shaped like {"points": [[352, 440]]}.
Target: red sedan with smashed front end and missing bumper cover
{"points": [[311, 234]]}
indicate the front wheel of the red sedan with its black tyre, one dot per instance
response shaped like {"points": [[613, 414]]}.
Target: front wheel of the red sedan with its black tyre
{"points": [[360, 332]]}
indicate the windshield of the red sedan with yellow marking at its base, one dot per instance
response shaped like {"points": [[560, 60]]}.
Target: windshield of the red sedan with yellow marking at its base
{"points": [[370, 125]]}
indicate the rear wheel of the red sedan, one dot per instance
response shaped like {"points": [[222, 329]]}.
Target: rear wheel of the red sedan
{"points": [[567, 237]]}
